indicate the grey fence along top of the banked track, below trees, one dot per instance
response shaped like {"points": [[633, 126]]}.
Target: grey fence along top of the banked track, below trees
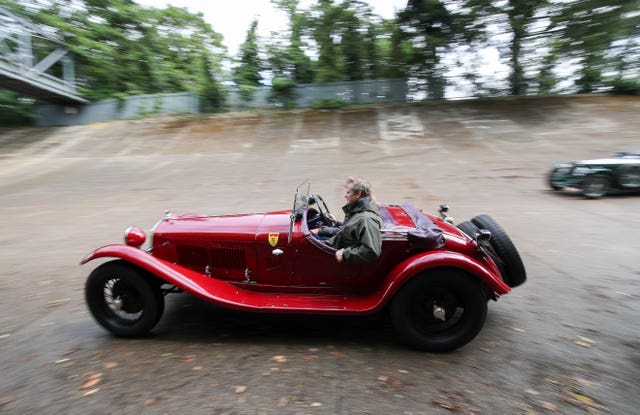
{"points": [[355, 92]]}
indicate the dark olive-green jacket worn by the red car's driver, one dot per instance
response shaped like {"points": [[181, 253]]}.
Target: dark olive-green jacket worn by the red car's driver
{"points": [[360, 234]]}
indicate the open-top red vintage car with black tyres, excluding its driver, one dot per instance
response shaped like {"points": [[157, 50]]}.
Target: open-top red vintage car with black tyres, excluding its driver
{"points": [[434, 278]]}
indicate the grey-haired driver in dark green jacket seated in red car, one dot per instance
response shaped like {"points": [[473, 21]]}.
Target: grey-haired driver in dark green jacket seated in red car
{"points": [[358, 239]]}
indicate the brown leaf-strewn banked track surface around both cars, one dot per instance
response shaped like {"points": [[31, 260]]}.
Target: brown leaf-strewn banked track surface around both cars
{"points": [[566, 342]]}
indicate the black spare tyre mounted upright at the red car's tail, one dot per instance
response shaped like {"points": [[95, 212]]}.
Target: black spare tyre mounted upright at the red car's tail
{"points": [[508, 259]]}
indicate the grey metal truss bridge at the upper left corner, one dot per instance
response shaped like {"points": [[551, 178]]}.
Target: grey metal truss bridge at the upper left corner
{"points": [[34, 63]]}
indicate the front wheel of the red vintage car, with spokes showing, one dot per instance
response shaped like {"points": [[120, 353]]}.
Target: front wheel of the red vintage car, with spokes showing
{"points": [[124, 299]]}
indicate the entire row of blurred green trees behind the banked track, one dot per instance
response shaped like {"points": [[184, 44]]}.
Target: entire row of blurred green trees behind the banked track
{"points": [[122, 48]]}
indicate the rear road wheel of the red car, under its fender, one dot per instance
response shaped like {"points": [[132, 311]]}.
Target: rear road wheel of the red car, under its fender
{"points": [[457, 294]]}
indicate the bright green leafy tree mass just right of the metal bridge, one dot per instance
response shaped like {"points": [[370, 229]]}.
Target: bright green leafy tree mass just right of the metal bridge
{"points": [[121, 47]]}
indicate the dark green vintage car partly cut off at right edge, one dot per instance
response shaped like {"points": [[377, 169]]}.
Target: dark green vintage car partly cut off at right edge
{"points": [[595, 178]]}
